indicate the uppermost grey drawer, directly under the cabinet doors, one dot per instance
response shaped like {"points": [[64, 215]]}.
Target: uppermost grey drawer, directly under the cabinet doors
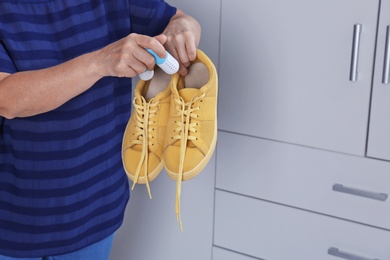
{"points": [[305, 178]]}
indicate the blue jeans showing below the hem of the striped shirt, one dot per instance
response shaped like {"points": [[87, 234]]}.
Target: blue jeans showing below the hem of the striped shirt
{"points": [[98, 251]]}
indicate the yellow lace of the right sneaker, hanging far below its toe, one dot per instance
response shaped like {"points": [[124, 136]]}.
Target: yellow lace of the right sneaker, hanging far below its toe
{"points": [[185, 129]]}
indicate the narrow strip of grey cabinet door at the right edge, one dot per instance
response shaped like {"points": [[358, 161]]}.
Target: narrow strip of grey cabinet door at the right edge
{"points": [[379, 133]]}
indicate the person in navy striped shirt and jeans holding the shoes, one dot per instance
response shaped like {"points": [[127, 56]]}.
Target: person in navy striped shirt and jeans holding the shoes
{"points": [[65, 98]]}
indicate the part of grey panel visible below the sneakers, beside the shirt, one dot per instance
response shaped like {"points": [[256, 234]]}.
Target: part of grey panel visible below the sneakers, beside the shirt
{"points": [[150, 230]]}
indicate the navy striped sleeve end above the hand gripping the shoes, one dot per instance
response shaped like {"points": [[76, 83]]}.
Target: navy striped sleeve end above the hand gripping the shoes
{"points": [[150, 17]]}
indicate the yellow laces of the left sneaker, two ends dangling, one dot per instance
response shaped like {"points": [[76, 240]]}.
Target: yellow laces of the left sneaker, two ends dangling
{"points": [[145, 112]]}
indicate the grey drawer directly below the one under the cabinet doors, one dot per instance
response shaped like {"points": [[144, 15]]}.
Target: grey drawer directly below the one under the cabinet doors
{"points": [[275, 232]]}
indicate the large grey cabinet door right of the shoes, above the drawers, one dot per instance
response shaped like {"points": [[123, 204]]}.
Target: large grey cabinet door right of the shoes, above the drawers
{"points": [[285, 67]]}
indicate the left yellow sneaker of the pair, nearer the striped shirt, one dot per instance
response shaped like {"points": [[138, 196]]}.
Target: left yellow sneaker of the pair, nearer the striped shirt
{"points": [[142, 146]]}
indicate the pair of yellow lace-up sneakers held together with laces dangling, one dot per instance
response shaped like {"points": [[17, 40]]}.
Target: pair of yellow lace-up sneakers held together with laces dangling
{"points": [[175, 129]]}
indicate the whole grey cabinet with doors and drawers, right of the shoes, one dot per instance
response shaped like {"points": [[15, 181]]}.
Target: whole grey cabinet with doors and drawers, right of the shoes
{"points": [[297, 100]]}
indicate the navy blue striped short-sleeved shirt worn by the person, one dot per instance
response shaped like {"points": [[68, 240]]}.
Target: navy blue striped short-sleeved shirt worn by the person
{"points": [[62, 185]]}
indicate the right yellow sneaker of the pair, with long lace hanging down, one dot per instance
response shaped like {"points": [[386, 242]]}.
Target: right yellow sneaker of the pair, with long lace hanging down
{"points": [[192, 125]]}
